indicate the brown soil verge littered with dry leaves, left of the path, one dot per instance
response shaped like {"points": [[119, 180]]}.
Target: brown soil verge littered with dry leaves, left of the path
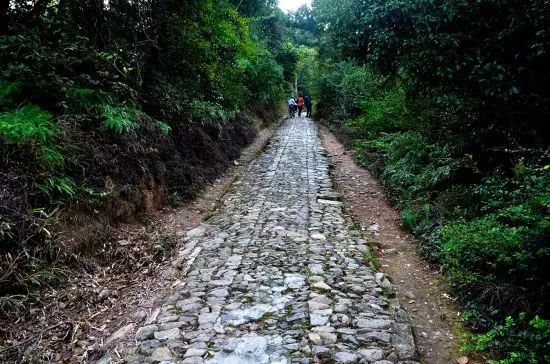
{"points": [[77, 321]]}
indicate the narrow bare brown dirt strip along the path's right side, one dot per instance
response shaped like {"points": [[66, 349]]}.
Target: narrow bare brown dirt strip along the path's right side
{"points": [[434, 314]]}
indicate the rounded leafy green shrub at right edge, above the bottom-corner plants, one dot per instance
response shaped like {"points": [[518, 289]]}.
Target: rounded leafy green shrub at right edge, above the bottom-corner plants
{"points": [[495, 268]]}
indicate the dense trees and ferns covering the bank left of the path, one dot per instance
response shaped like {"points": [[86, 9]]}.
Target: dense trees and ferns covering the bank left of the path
{"points": [[103, 104]]}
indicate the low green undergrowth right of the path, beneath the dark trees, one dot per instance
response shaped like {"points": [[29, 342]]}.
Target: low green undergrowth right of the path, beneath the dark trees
{"points": [[487, 227]]}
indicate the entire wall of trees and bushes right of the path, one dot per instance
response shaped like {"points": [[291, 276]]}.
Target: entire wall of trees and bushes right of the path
{"points": [[448, 102]]}
